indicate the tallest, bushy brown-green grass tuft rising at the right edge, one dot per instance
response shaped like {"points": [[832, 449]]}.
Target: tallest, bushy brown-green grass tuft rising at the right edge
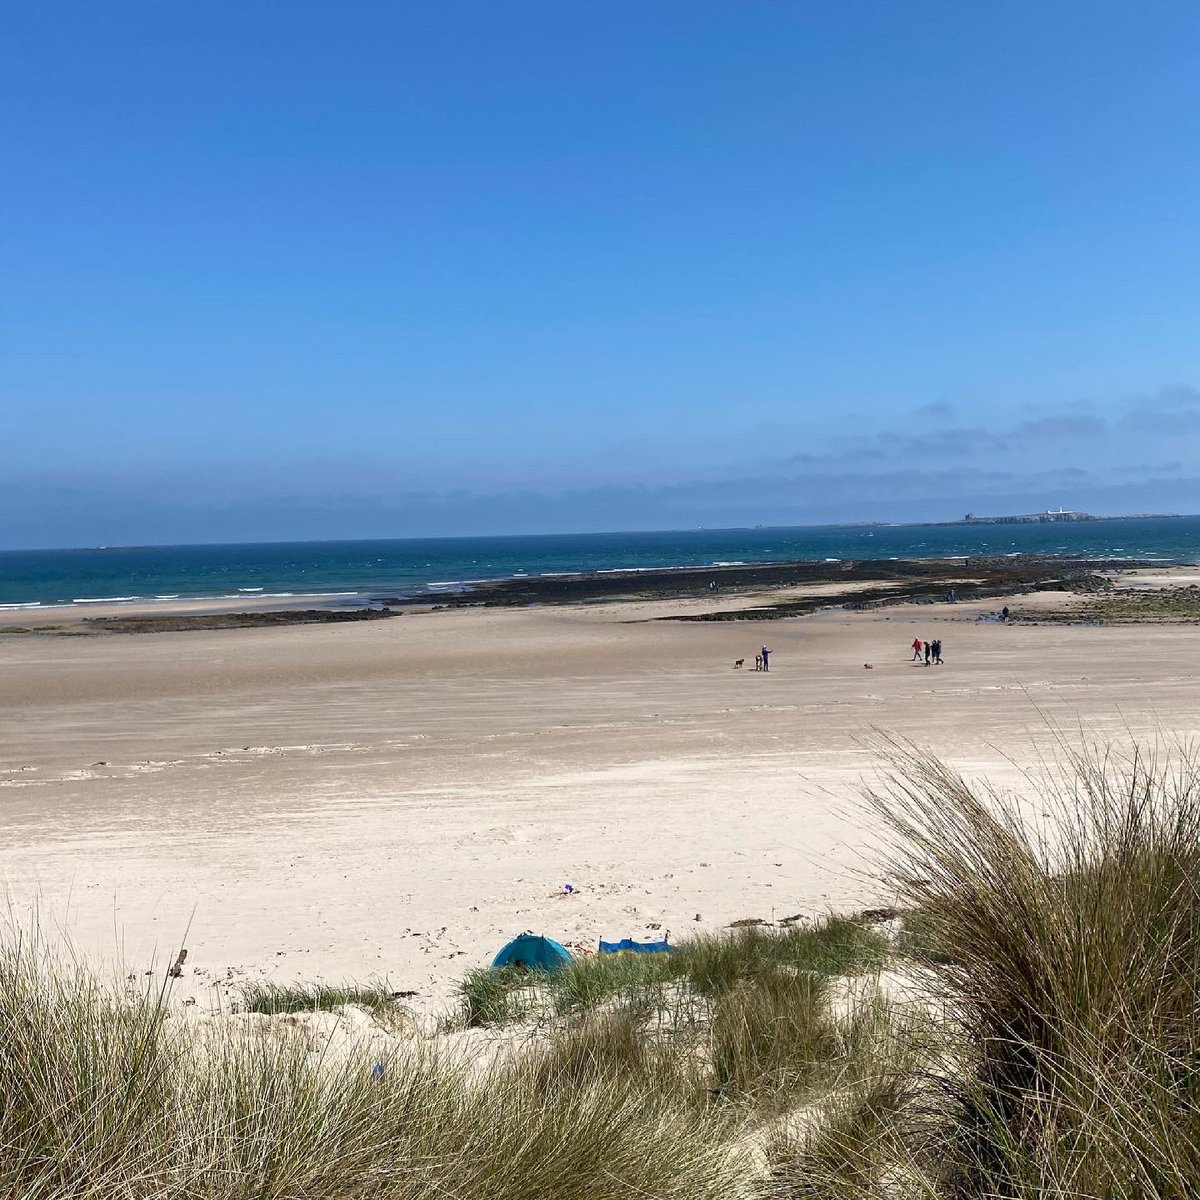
{"points": [[1069, 962]]}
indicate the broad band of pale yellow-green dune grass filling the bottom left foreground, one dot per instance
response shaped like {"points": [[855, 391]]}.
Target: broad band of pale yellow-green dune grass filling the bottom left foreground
{"points": [[110, 1096]]}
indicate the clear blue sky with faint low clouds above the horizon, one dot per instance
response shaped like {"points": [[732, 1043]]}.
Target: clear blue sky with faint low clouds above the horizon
{"points": [[365, 271]]}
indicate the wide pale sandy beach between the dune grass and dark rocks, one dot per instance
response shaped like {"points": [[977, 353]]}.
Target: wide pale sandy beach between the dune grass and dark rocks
{"points": [[399, 797]]}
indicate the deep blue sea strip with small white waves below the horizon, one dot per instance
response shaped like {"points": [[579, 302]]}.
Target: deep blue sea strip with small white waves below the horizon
{"points": [[357, 572]]}
